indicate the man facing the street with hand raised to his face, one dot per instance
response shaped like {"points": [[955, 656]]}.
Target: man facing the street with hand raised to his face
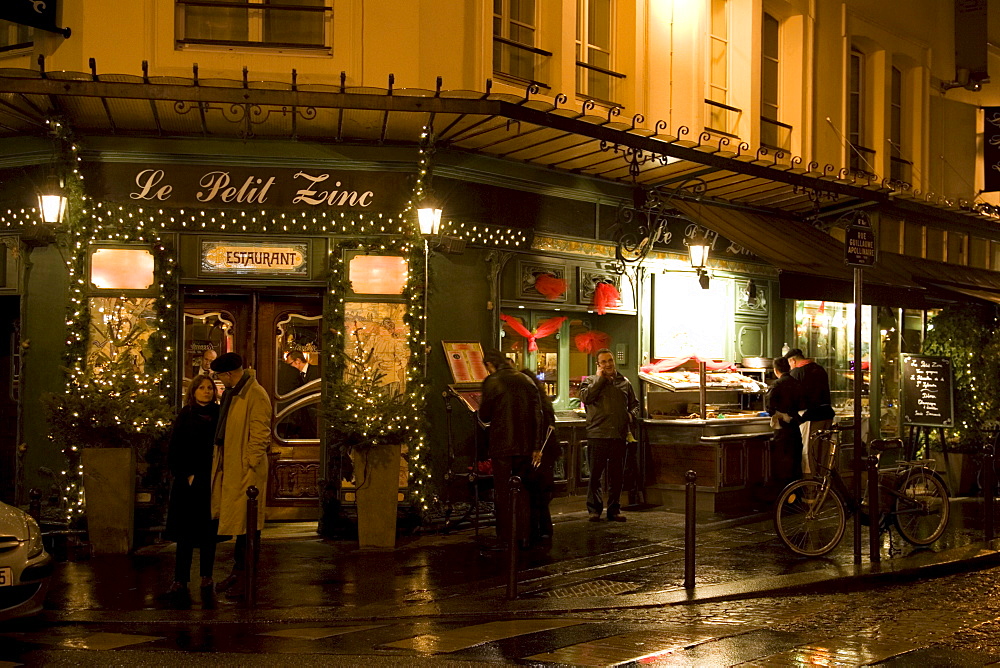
{"points": [[612, 411]]}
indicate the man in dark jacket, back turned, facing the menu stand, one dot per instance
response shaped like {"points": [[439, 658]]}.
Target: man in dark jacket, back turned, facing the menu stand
{"points": [[510, 408]]}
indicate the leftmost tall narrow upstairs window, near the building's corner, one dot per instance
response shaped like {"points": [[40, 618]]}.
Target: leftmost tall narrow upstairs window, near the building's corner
{"points": [[514, 33]]}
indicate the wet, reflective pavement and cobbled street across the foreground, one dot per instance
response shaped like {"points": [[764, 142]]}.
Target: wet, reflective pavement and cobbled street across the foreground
{"points": [[600, 595]]}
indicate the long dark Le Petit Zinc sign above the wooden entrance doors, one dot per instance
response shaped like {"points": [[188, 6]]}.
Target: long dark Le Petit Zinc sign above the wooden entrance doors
{"points": [[253, 188]]}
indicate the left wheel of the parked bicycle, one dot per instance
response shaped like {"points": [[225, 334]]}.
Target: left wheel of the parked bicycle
{"points": [[809, 519]]}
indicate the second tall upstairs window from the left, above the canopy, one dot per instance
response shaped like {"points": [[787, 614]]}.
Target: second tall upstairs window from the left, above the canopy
{"points": [[594, 33]]}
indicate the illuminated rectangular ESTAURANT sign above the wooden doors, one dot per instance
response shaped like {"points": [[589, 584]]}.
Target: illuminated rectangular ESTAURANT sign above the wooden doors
{"points": [[255, 259]]}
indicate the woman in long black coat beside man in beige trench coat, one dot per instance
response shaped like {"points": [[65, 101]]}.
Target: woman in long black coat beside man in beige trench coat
{"points": [[189, 517]]}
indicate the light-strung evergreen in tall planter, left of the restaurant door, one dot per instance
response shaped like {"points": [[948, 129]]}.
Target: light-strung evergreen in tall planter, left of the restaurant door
{"points": [[106, 420]]}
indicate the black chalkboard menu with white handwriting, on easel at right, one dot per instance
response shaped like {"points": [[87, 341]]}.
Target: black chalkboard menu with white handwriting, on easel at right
{"points": [[927, 397]]}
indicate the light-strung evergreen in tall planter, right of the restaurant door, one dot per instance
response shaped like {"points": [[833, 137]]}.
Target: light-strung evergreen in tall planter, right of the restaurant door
{"points": [[371, 420]]}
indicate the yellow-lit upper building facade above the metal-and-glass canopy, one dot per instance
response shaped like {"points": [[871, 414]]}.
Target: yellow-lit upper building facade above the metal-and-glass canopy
{"points": [[872, 88]]}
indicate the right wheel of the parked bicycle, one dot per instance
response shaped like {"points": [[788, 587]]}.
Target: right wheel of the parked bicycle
{"points": [[922, 510]]}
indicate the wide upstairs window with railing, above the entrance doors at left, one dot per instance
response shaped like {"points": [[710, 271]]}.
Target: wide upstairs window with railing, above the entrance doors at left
{"points": [[281, 24]]}
